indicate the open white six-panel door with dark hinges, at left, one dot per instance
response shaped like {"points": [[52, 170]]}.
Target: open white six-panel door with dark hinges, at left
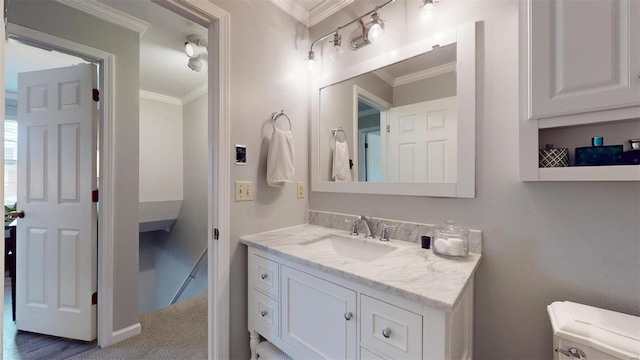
{"points": [[57, 238]]}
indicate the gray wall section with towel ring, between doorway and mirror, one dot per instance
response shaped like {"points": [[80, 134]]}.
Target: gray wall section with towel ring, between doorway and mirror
{"points": [[267, 75]]}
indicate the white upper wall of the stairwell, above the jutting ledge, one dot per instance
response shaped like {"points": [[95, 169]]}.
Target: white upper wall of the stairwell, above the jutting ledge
{"points": [[160, 151]]}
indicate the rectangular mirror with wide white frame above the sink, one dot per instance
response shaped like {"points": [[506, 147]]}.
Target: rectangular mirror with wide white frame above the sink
{"points": [[406, 121]]}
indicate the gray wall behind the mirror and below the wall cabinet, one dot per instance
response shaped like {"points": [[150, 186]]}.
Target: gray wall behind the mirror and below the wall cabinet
{"points": [[542, 242]]}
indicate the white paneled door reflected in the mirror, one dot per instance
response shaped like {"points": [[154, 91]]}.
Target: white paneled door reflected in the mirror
{"points": [[423, 142]]}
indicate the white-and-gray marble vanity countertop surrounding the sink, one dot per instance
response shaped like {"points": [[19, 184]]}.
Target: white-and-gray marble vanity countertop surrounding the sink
{"points": [[409, 271]]}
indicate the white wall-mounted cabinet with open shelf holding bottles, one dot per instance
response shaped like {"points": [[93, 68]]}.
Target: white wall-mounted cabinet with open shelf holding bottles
{"points": [[580, 70]]}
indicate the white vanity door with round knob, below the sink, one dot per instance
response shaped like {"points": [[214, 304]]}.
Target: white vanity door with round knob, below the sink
{"points": [[313, 316]]}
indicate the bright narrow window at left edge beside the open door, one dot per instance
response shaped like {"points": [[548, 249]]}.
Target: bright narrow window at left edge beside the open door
{"points": [[10, 161]]}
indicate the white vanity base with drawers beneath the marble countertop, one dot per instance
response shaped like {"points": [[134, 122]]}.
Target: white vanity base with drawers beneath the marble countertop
{"points": [[316, 315]]}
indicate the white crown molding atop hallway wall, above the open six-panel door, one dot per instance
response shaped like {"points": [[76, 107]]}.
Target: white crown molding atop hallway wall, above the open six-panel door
{"points": [[107, 13]]}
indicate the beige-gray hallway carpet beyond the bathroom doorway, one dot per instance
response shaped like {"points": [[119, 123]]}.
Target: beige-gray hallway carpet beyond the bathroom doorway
{"points": [[178, 331]]}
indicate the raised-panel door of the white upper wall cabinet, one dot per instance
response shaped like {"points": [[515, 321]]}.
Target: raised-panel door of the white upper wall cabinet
{"points": [[583, 56]]}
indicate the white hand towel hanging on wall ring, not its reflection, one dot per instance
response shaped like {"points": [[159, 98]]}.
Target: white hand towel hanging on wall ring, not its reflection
{"points": [[280, 158]]}
